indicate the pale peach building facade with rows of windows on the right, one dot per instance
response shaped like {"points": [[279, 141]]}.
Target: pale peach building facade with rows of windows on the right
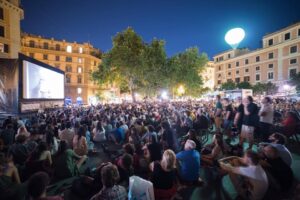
{"points": [[275, 62]]}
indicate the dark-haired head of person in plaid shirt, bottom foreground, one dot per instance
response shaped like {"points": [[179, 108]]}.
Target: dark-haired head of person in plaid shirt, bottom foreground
{"points": [[109, 175]]}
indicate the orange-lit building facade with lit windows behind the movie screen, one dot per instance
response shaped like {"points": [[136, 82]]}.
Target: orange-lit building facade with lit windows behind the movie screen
{"points": [[76, 60]]}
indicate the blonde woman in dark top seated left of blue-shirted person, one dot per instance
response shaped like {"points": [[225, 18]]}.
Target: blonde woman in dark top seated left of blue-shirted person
{"points": [[164, 188]]}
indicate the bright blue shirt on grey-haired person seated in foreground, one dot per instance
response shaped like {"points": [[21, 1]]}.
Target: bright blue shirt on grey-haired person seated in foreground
{"points": [[189, 165]]}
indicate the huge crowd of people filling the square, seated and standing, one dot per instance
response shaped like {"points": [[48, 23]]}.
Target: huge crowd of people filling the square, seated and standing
{"points": [[167, 143]]}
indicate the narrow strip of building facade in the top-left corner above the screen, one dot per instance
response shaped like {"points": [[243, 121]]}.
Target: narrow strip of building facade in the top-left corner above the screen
{"points": [[10, 36]]}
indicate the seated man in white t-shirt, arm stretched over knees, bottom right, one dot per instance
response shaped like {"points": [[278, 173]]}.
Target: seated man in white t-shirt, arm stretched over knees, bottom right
{"points": [[249, 178]]}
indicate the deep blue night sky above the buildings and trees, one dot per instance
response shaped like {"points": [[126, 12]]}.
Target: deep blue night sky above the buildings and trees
{"points": [[181, 23]]}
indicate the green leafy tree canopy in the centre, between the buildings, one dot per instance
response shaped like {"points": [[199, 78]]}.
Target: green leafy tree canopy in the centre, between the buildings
{"points": [[136, 66]]}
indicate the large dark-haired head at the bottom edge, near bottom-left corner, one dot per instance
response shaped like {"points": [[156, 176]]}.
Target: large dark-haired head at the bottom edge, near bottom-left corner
{"points": [[37, 185]]}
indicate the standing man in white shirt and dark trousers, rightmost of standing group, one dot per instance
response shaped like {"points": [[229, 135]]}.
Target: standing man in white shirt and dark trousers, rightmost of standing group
{"points": [[266, 115]]}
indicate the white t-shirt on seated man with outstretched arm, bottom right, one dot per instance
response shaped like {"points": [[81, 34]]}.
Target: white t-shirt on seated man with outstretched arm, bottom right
{"points": [[257, 178]]}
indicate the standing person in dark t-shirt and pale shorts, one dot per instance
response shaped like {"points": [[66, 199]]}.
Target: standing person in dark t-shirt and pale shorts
{"points": [[250, 120]]}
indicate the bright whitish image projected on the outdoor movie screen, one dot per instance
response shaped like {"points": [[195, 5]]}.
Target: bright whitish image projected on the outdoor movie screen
{"points": [[41, 83]]}
